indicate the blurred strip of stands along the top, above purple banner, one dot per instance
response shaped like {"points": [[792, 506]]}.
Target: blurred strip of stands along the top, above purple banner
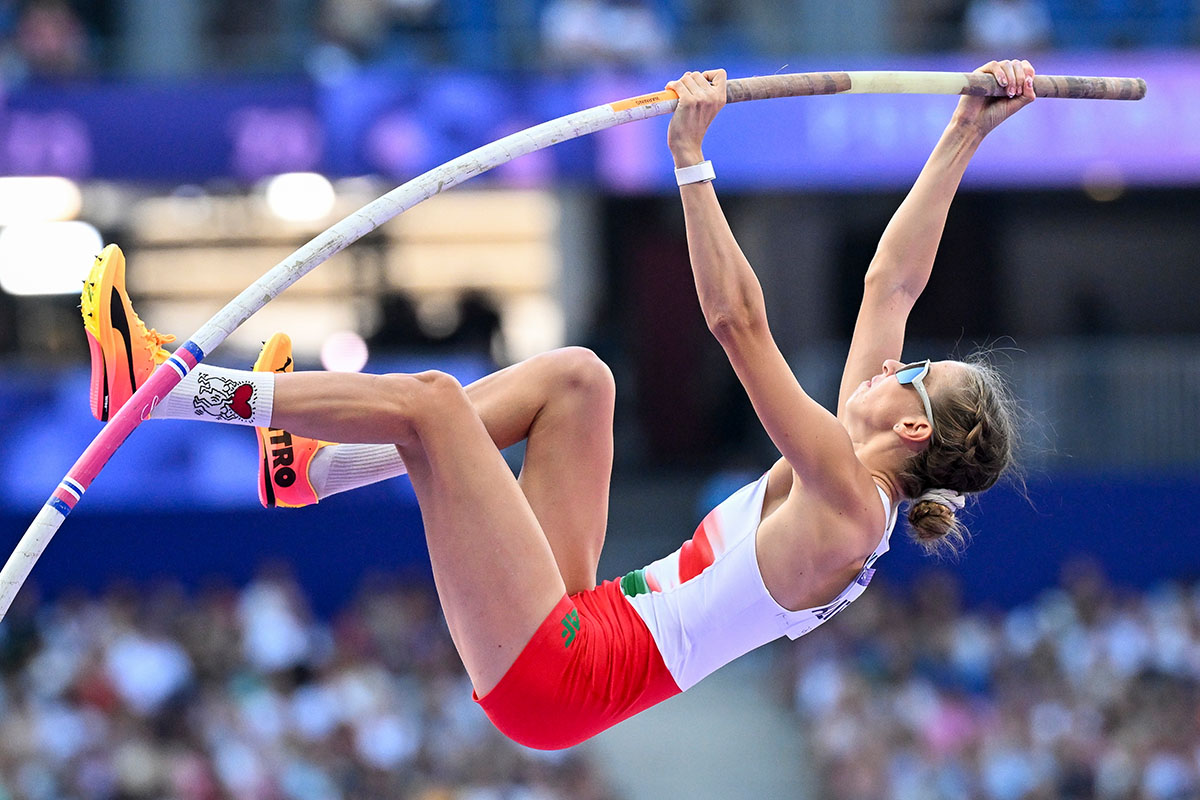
{"points": [[56, 39]]}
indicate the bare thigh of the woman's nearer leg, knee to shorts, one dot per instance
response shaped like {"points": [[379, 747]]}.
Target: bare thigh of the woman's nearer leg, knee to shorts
{"points": [[495, 572]]}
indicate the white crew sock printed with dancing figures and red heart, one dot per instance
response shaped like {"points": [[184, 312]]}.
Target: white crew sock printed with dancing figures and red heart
{"points": [[218, 395]]}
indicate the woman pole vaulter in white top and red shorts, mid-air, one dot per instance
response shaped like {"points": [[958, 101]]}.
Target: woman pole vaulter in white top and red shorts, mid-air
{"points": [[554, 658]]}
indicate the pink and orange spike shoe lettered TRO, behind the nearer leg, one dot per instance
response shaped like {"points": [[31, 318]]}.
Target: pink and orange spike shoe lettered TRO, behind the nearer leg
{"points": [[284, 459]]}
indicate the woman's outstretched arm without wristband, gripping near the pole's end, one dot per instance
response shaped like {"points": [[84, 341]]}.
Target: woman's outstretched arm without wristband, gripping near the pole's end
{"points": [[905, 256]]}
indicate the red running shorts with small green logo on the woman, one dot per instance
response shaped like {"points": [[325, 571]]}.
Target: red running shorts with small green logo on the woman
{"points": [[591, 665]]}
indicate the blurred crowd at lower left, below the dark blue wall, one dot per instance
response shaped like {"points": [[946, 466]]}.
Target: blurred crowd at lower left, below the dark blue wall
{"points": [[244, 694]]}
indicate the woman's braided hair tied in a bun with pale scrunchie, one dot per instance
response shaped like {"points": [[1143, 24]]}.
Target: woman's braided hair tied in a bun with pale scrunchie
{"points": [[973, 448]]}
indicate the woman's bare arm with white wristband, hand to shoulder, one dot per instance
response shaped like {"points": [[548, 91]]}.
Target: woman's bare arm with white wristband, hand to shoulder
{"points": [[807, 435]]}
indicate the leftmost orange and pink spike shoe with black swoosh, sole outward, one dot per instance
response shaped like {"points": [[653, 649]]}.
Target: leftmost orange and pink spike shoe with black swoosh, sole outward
{"points": [[124, 353]]}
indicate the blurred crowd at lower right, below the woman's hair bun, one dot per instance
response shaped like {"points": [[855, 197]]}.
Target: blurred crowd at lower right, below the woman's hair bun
{"points": [[1087, 694]]}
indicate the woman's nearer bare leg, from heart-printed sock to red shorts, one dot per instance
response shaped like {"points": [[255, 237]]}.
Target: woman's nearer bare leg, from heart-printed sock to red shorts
{"points": [[493, 566]]}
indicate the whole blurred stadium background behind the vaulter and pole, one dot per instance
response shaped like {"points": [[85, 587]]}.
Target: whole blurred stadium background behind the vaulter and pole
{"points": [[179, 642]]}
